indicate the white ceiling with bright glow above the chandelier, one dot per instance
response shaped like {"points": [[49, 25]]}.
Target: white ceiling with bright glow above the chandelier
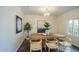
{"points": [[53, 10]]}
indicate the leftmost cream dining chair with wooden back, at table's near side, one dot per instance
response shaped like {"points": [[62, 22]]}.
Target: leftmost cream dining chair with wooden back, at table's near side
{"points": [[35, 43]]}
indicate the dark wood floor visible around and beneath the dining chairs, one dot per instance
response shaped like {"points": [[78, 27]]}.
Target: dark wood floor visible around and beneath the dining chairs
{"points": [[25, 47]]}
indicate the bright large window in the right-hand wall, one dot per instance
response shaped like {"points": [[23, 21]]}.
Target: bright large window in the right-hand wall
{"points": [[73, 27]]}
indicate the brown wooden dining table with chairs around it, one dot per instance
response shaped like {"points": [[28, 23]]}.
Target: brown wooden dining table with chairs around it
{"points": [[45, 36]]}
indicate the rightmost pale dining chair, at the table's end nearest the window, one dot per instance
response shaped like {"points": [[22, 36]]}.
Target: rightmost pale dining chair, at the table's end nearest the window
{"points": [[65, 44]]}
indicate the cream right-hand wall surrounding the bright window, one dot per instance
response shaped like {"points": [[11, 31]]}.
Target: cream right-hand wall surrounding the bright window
{"points": [[62, 23]]}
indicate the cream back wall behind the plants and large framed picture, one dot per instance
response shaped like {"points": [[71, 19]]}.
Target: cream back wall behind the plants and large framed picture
{"points": [[33, 19]]}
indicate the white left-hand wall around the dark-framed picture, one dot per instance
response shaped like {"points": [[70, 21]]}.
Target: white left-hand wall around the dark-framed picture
{"points": [[9, 40]]}
